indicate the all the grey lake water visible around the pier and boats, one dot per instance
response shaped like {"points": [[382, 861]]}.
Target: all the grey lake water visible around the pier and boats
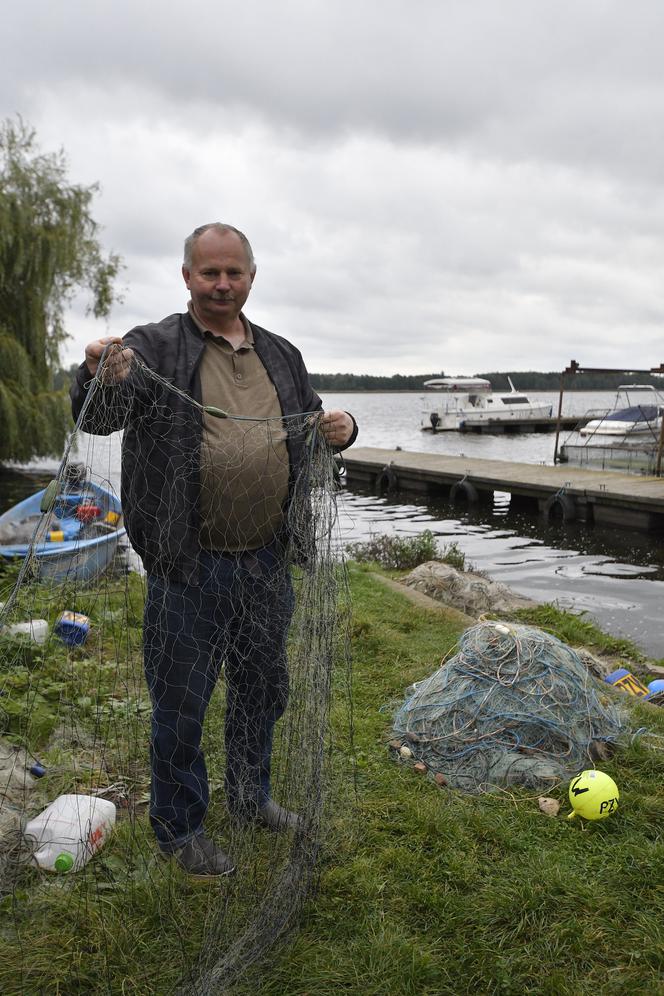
{"points": [[617, 577]]}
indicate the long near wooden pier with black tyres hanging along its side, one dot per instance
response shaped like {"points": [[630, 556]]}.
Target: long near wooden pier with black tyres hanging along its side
{"points": [[626, 501]]}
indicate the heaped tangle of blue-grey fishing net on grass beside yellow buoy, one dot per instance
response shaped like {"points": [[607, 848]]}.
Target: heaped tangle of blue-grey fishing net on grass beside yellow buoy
{"points": [[515, 706]]}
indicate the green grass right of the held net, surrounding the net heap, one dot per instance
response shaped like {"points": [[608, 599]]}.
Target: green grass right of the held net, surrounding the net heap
{"points": [[425, 891]]}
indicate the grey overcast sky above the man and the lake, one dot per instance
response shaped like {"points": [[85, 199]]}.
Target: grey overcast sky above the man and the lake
{"points": [[428, 185]]}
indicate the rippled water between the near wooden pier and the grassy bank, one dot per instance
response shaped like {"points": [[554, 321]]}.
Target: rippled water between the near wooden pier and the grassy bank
{"points": [[616, 577]]}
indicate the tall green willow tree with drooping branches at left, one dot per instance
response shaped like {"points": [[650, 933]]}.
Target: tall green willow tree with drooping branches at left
{"points": [[49, 250]]}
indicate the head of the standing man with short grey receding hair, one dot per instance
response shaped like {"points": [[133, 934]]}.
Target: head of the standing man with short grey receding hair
{"points": [[219, 279]]}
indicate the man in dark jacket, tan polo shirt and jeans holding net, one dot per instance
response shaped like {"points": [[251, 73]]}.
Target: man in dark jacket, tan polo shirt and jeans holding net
{"points": [[205, 503]]}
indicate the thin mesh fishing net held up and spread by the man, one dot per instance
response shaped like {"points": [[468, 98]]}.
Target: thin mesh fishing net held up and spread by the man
{"points": [[76, 706]]}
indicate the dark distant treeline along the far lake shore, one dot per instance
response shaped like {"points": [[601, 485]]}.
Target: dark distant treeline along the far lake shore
{"points": [[523, 380]]}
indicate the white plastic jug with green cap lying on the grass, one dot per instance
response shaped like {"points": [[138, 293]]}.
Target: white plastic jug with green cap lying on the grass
{"points": [[70, 831]]}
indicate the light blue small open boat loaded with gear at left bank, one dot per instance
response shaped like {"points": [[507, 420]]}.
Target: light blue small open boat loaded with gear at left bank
{"points": [[75, 540]]}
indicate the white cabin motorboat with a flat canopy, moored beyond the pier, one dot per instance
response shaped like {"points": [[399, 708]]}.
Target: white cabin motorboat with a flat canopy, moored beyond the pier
{"points": [[471, 401]]}
